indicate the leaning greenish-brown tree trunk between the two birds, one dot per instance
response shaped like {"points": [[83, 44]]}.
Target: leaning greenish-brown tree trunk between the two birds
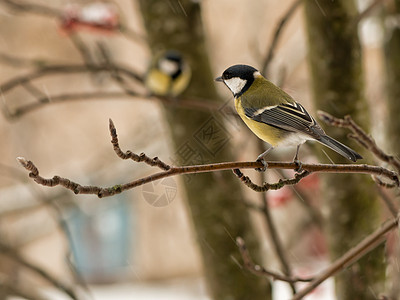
{"points": [[215, 200]]}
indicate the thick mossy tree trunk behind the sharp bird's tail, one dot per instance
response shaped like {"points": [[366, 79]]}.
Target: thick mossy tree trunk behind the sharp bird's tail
{"points": [[352, 206]]}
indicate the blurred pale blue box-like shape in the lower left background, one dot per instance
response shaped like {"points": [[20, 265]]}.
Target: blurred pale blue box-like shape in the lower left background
{"points": [[101, 239]]}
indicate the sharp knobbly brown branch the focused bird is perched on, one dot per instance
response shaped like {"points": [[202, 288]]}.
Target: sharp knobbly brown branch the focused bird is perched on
{"points": [[172, 171]]}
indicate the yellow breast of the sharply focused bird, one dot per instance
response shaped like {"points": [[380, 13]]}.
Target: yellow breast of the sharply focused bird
{"points": [[265, 132]]}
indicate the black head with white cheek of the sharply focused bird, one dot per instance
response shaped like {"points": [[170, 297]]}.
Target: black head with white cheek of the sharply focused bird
{"points": [[238, 78]]}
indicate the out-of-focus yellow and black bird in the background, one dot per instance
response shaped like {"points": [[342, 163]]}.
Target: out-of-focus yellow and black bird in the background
{"points": [[168, 74]]}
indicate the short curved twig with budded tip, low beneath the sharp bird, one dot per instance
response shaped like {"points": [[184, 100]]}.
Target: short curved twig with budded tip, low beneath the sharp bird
{"points": [[260, 271]]}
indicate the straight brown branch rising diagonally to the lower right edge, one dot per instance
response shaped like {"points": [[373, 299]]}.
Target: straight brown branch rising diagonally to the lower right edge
{"points": [[364, 247]]}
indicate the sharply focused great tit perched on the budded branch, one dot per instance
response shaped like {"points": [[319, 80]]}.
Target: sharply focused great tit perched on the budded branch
{"points": [[273, 115]]}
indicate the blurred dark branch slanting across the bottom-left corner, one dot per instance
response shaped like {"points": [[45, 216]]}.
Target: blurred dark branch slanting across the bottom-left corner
{"points": [[15, 256]]}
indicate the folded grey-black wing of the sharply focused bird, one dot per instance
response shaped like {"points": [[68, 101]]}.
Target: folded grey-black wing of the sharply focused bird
{"points": [[288, 116]]}
